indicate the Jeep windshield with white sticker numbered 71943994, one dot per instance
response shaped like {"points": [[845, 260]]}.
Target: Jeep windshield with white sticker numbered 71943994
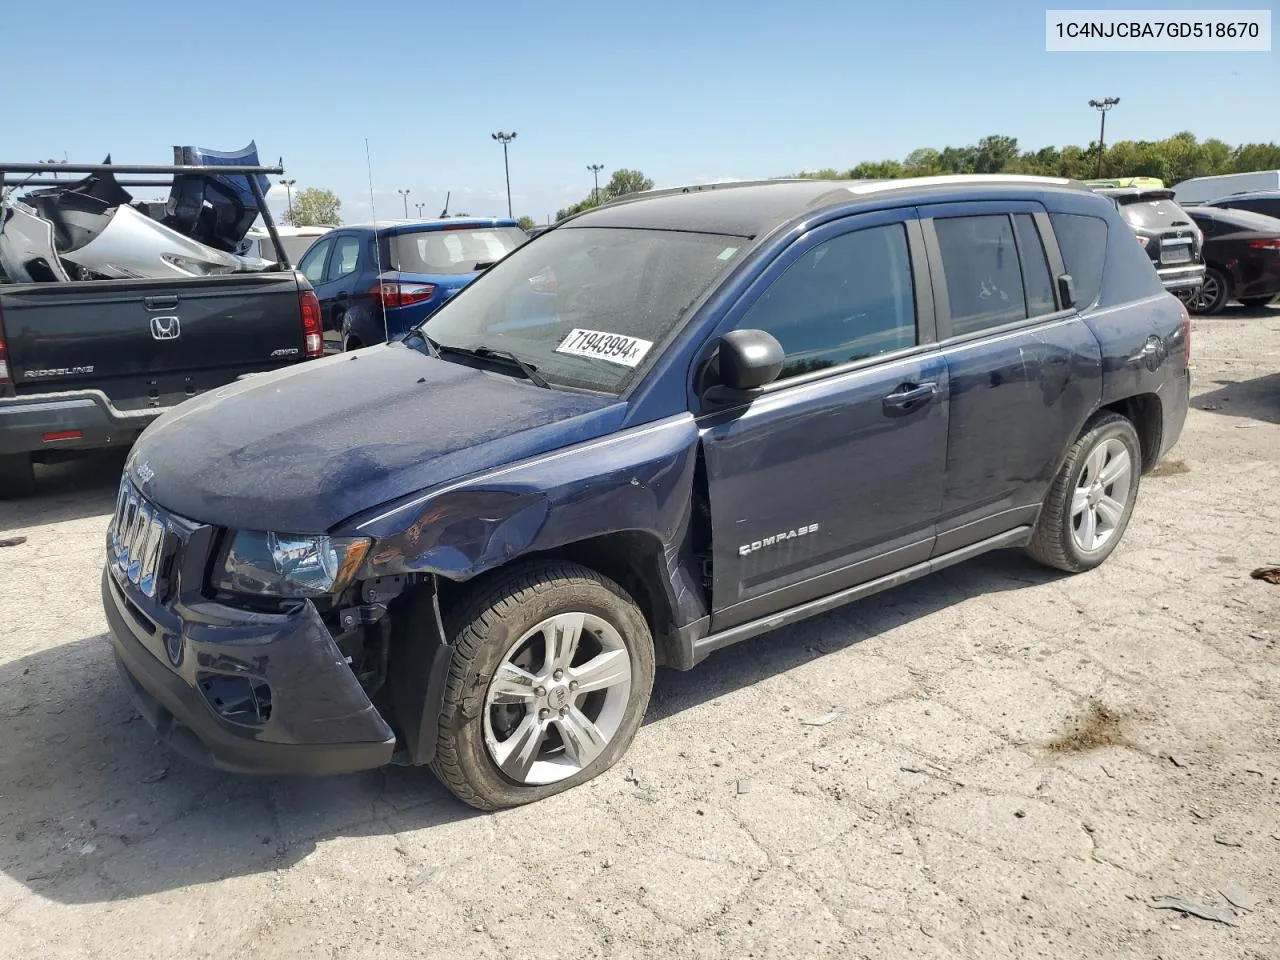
{"points": [[586, 307]]}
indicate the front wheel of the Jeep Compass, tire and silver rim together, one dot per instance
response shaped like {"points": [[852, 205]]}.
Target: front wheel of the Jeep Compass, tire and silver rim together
{"points": [[550, 680]]}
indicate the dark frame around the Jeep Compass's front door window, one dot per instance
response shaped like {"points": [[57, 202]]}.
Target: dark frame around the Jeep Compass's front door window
{"points": [[926, 332]]}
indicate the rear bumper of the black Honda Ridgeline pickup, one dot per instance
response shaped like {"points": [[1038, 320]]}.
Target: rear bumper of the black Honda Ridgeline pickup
{"points": [[97, 423]]}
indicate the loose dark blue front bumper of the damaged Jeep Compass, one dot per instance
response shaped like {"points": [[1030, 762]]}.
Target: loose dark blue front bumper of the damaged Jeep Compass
{"points": [[319, 720]]}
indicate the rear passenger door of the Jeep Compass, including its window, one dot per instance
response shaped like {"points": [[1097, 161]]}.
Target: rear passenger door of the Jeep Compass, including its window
{"points": [[1025, 372]]}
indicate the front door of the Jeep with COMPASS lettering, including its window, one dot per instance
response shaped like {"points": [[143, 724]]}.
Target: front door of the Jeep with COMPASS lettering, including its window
{"points": [[834, 477]]}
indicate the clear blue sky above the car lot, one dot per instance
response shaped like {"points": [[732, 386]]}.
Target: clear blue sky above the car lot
{"points": [[687, 93]]}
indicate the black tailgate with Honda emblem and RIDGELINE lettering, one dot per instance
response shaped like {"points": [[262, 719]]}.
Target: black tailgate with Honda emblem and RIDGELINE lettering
{"points": [[150, 344]]}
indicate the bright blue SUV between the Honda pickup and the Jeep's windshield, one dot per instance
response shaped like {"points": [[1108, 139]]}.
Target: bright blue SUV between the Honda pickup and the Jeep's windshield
{"points": [[371, 294]]}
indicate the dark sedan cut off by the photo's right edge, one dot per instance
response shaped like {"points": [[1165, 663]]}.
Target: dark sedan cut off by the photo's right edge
{"points": [[1242, 255]]}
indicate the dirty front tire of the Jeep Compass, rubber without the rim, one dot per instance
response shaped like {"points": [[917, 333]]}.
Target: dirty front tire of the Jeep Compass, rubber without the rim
{"points": [[483, 628]]}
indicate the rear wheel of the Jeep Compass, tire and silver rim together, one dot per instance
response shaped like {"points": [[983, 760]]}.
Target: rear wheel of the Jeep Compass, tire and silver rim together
{"points": [[1092, 497]]}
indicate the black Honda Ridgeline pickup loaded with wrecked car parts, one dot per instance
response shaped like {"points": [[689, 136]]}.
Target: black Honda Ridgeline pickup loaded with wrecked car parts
{"points": [[112, 317]]}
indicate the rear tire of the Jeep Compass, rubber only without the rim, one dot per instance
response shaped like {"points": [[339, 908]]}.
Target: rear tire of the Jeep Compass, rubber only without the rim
{"points": [[1053, 542]]}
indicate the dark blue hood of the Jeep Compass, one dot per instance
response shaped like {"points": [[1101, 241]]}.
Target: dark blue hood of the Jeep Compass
{"points": [[301, 450]]}
